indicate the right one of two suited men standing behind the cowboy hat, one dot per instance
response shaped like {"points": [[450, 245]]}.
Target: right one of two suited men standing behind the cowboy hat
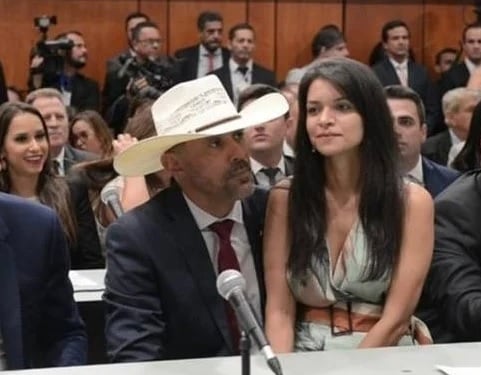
{"points": [[241, 71]]}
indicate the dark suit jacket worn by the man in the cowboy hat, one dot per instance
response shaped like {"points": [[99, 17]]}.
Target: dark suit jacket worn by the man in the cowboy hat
{"points": [[161, 296]]}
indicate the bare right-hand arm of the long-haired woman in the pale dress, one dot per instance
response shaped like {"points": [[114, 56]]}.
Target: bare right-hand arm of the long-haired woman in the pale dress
{"points": [[410, 271]]}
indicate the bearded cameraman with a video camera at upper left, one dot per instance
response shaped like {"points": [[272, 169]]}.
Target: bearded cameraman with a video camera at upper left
{"points": [[58, 65]]}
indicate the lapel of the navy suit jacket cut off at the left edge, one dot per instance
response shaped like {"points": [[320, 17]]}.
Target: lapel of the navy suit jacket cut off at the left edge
{"points": [[10, 317]]}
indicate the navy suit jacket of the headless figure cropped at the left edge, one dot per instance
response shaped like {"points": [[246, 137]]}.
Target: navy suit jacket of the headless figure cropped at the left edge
{"points": [[40, 325]]}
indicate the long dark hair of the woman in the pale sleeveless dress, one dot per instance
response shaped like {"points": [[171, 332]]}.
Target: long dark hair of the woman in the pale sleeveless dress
{"points": [[381, 206]]}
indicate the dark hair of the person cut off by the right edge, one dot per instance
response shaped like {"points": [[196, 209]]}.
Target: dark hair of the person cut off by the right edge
{"points": [[469, 156]]}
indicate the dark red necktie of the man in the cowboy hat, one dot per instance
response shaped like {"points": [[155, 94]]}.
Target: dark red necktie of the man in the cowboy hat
{"points": [[227, 259]]}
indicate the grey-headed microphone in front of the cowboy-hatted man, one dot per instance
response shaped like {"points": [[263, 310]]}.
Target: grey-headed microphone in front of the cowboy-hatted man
{"points": [[231, 286]]}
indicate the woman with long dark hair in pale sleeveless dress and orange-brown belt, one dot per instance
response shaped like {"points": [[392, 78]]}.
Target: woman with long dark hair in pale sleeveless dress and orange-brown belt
{"points": [[348, 243]]}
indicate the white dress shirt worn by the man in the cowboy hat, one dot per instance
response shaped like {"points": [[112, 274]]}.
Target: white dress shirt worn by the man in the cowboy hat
{"points": [[240, 244]]}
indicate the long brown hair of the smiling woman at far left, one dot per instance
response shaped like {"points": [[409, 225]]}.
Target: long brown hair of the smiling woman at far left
{"points": [[51, 190]]}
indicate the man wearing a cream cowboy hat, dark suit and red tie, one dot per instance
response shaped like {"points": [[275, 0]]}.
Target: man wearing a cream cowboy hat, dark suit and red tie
{"points": [[164, 256]]}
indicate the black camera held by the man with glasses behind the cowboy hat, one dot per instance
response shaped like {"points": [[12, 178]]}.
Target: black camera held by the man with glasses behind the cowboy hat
{"points": [[160, 75]]}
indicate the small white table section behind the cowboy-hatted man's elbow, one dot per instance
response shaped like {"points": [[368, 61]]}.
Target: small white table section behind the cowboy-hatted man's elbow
{"points": [[88, 285]]}
